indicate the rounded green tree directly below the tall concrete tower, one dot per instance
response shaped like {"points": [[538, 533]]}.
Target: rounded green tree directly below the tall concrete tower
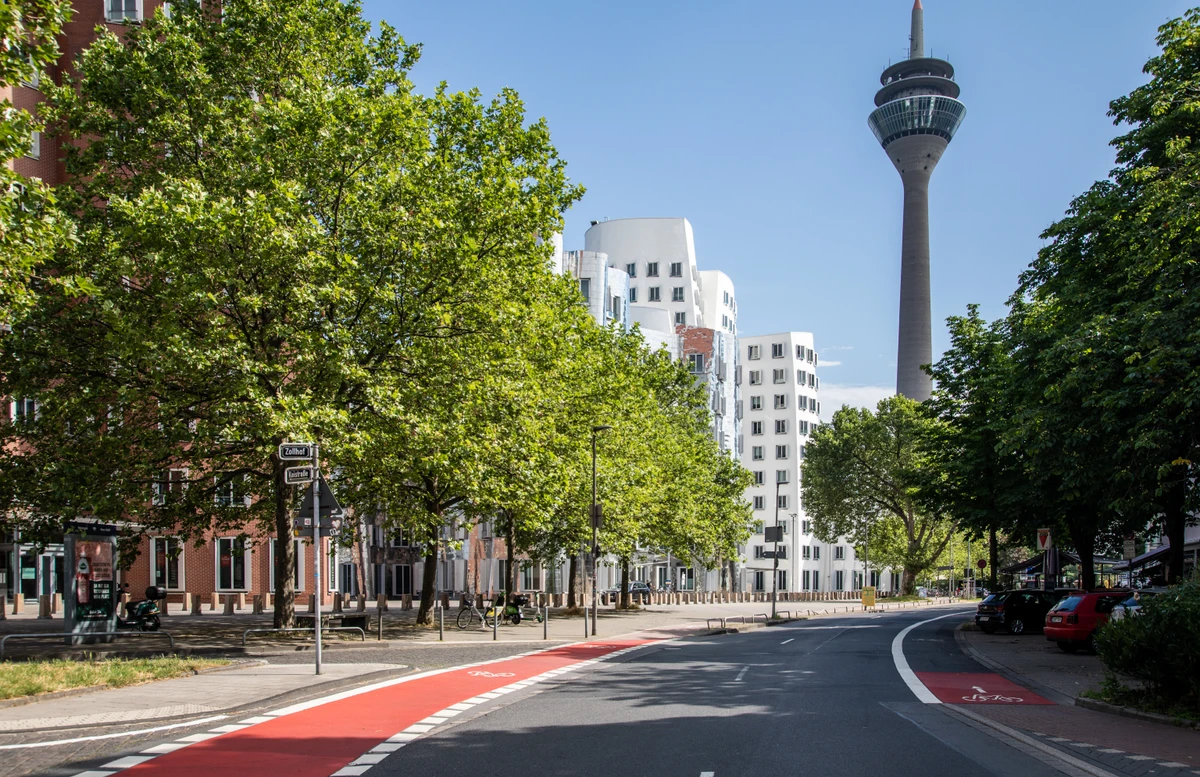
{"points": [[867, 477]]}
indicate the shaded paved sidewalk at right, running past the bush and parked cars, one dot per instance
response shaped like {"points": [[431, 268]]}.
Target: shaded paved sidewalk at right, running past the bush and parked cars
{"points": [[1118, 744]]}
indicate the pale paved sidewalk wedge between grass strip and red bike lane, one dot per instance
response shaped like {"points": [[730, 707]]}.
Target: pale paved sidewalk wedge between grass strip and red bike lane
{"points": [[199, 695]]}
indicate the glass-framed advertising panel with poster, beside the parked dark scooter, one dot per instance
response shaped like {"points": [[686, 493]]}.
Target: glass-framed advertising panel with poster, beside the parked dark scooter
{"points": [[91, 600]]}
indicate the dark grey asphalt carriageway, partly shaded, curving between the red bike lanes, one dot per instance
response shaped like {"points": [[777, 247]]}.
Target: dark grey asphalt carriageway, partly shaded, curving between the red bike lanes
{"points": [[815, 698]]}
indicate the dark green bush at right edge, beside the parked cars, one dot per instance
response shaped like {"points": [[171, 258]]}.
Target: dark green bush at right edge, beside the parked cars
{"points": [[1160, 648]]}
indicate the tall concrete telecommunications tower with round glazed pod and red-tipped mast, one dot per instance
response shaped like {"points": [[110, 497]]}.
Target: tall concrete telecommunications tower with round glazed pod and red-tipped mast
{"points": [[917, 113]]}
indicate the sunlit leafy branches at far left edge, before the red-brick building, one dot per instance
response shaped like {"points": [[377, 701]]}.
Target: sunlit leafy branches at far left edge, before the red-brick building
{"points": [[32, 227]]}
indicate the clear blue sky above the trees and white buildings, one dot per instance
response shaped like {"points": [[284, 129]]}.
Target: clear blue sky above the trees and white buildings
{"points": [[749, 119]]}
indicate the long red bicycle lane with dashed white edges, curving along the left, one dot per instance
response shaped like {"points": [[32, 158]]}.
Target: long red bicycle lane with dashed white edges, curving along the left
{"points": [[346, 733]]}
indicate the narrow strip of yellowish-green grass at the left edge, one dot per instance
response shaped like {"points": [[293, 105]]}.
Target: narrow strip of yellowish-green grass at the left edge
{"points": [[31, 678]]}
